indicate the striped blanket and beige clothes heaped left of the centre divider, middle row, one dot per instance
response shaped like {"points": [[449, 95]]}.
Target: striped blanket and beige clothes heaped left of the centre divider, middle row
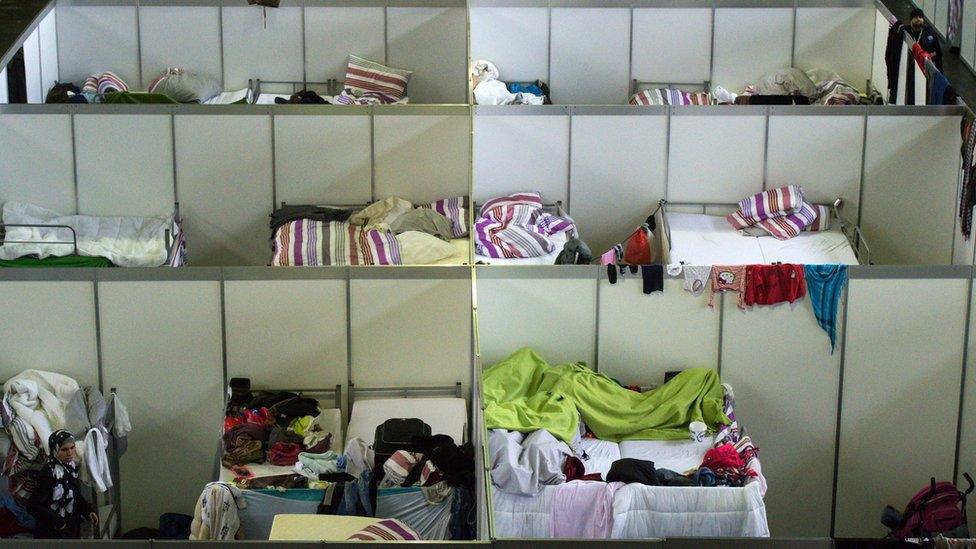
{"points": [[388, 232]]}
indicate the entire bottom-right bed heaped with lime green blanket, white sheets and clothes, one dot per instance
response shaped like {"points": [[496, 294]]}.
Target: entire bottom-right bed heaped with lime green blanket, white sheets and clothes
{"points": [[586, 485]]}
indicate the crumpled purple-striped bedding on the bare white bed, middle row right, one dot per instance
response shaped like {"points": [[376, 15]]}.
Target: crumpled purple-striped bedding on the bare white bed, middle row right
{"points": [[781, 212]]}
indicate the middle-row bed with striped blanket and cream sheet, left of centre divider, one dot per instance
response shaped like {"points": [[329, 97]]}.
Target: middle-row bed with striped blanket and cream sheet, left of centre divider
{"points": [[303, 240]]}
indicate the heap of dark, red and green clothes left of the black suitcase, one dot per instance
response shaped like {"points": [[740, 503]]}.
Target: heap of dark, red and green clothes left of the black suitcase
{"points": [[283, 429]]}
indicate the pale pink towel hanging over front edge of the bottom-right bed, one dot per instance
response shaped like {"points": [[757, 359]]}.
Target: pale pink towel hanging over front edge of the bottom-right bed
{"points": [[583, 509]]}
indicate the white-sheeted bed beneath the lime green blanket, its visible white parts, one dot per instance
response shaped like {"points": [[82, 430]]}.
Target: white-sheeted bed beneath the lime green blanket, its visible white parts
{"points": [[641, 511]]}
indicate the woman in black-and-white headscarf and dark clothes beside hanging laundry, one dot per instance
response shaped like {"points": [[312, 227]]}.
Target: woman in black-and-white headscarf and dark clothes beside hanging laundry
{"points": [[57, 501]]}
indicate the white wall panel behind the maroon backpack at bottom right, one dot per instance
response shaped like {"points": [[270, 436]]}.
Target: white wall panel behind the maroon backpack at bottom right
{"points": [[903, 364]]}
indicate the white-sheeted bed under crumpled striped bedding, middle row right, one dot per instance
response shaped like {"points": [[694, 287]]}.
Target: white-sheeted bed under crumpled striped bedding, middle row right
{"points": [[701, 239]]}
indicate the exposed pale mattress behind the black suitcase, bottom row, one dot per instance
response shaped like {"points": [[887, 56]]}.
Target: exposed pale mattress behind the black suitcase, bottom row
{"points": [[448, 416]]}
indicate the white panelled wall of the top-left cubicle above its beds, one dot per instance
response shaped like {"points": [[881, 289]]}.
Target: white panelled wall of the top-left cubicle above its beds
{"points": [[234, 43]]}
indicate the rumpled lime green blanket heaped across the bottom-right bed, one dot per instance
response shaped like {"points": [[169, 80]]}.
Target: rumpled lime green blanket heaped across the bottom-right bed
{"points": [[523, 393]]}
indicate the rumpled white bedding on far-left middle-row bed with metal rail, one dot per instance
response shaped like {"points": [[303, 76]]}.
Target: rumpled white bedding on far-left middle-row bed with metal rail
{"points": [[125, 241]]}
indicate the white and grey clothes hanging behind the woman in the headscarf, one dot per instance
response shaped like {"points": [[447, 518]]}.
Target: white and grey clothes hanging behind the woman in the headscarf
{"points": [[36, 403]]}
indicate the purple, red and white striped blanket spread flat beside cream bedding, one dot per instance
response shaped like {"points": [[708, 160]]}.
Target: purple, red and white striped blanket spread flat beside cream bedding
{"points": [[306, 242]]}
